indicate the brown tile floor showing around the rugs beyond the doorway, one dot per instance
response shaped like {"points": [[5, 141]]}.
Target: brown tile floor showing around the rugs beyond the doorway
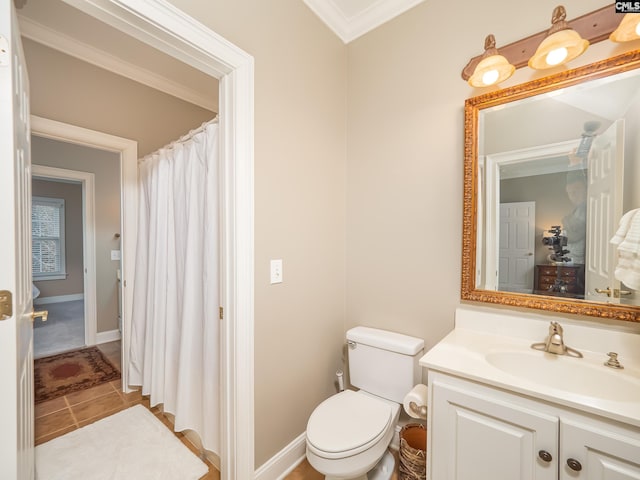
{"points": [[65, 414]]}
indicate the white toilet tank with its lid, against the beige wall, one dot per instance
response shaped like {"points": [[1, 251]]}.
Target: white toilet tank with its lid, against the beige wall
{"points": [[384, 363]]}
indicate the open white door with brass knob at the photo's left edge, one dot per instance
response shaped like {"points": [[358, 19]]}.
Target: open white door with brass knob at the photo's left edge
{"points": [[16, 331]]}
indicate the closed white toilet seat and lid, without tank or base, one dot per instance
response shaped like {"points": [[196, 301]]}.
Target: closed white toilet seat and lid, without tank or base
{"points": [[347, 423]]}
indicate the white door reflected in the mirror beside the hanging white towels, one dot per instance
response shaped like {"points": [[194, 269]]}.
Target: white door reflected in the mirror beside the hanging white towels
{"points": [[604, 209]]}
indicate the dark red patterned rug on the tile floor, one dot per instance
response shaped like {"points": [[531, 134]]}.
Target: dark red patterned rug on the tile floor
{"points": [[71, 372]]}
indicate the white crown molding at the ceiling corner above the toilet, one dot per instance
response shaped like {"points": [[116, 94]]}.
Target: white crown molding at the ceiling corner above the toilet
{"points": [[348, 29]]}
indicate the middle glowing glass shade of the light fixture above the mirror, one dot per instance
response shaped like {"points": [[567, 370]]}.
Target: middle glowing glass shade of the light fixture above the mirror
{"points": [[561, 45]]}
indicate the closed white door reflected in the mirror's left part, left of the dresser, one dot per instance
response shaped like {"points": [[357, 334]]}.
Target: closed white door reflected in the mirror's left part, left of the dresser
{"points": [[517, 247]]}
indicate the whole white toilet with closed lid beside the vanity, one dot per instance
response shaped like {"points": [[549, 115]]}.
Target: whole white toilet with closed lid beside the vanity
{"points": [[349, 433]]}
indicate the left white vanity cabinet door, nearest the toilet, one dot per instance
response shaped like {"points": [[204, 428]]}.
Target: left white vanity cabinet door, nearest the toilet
{"points": [[479, 434]]}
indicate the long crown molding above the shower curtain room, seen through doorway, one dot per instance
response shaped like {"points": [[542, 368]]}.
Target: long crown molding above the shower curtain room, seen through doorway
{"points": [[71, 46]]}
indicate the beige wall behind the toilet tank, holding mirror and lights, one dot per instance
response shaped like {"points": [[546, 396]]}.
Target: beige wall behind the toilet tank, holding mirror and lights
{"points": [[405, 155]]}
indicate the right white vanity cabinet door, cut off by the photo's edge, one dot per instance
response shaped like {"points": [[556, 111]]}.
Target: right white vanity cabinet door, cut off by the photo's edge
{"points": [[602, 450]]}
